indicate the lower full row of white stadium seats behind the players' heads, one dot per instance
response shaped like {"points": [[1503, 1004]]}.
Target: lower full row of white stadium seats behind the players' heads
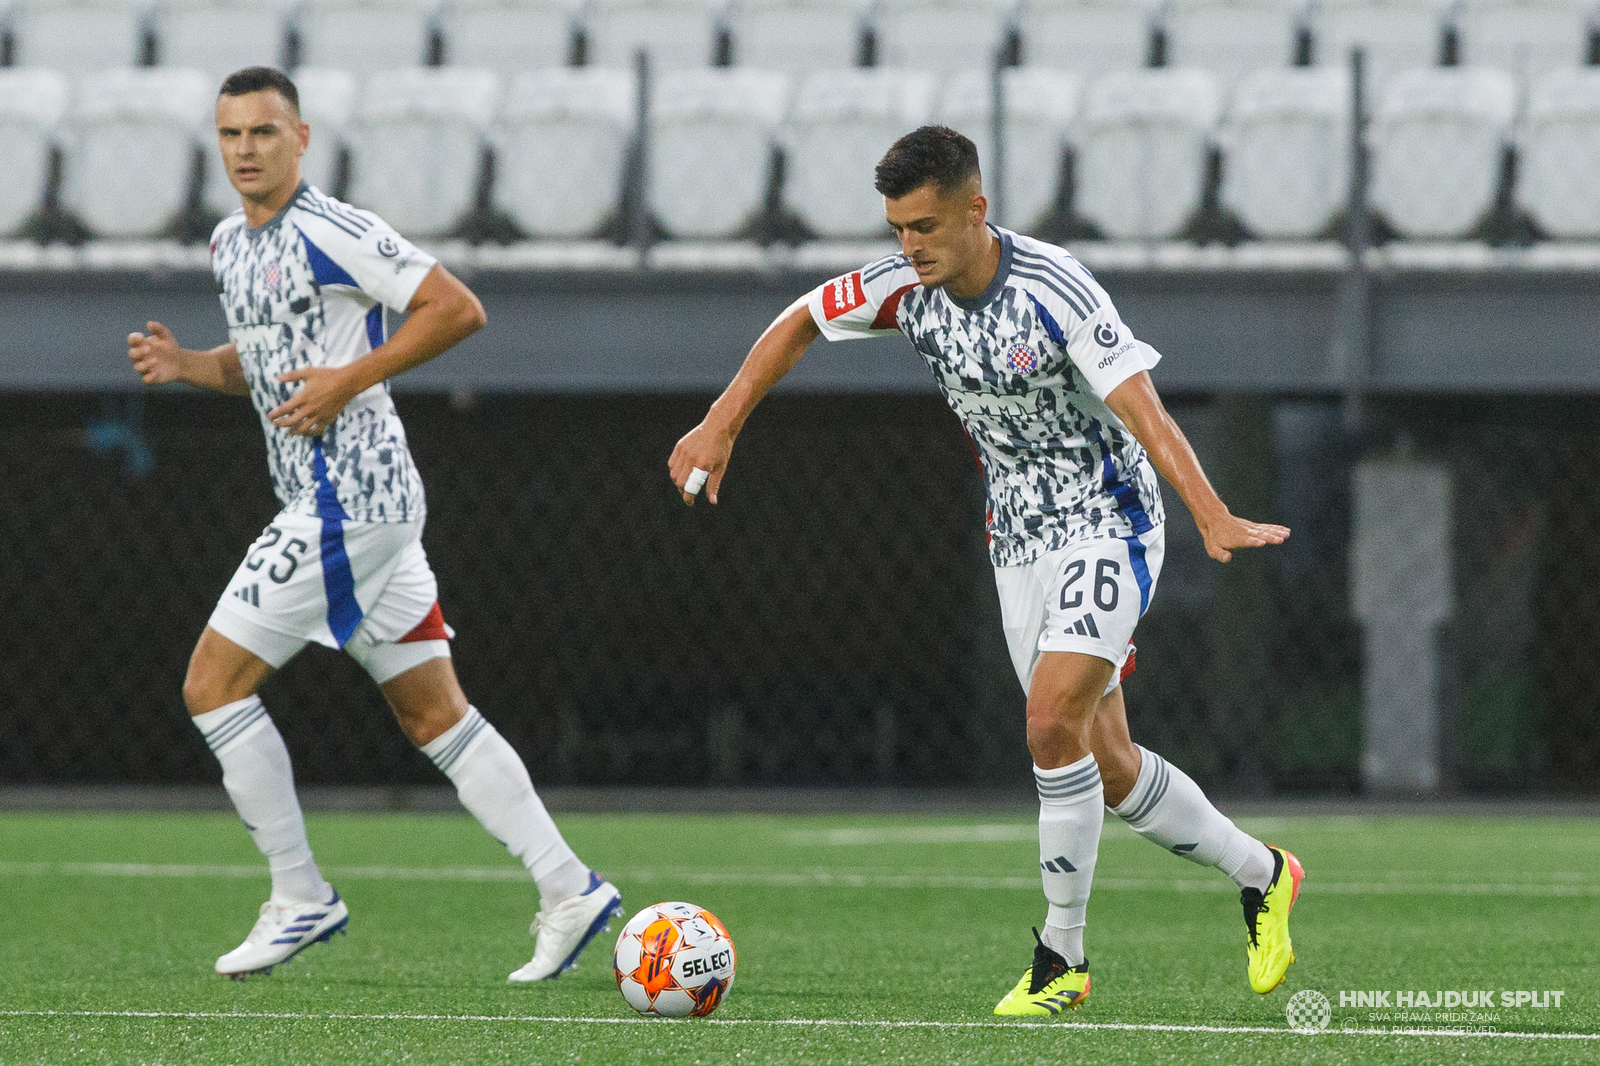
{"points": [[1140, 143]]}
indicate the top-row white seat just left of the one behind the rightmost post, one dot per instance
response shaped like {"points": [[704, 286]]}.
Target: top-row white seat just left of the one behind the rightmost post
{"points": [[1233, 38]]}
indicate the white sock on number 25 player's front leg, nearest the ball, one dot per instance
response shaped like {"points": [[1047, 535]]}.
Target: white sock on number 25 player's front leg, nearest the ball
{"points": [[494, 785]]}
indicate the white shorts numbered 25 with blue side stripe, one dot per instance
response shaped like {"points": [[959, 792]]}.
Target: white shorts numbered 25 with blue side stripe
{"points": [[361, 587]]}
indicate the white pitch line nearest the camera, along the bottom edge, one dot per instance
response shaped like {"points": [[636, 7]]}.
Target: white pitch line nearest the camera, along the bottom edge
{"points": [[849, 1024]]}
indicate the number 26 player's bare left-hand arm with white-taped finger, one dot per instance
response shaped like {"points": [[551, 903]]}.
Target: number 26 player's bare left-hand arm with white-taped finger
{"points": [[710, 446]]}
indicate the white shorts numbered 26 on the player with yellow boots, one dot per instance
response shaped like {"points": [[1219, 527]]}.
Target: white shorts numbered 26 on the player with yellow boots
{"points": [[1084, 598]]}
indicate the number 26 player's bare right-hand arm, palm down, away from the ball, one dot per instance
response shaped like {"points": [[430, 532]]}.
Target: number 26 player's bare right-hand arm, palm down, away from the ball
{"points": [[1142, 411]]}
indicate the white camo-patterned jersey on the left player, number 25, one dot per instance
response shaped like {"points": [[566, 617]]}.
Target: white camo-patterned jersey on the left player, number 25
{"points": [[310, 289]]}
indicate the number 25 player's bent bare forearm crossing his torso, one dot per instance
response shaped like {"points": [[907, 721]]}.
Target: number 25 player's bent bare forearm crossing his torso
{"points": [[444, 313]]}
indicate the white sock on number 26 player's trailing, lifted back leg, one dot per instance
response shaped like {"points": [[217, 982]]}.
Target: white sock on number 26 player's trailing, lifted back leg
{"points": [[1169, 809]]}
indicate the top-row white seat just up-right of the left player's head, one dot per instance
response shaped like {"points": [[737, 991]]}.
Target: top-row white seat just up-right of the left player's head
{"points": [[362, 36]]}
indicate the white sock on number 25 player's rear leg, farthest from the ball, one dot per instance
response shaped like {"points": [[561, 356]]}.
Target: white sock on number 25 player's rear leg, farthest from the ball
{"points": [[262, 783]]}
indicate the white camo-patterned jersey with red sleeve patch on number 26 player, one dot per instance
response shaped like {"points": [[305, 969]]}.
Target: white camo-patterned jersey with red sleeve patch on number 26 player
{"points": [[1026, 367]]}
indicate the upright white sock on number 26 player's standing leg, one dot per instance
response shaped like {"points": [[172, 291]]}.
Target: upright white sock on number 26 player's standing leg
{"points": [[1071, 812]]}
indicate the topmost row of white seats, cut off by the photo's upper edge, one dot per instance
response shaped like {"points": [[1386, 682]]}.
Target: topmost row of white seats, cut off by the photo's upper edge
{"points": [[1228, 38]]}
